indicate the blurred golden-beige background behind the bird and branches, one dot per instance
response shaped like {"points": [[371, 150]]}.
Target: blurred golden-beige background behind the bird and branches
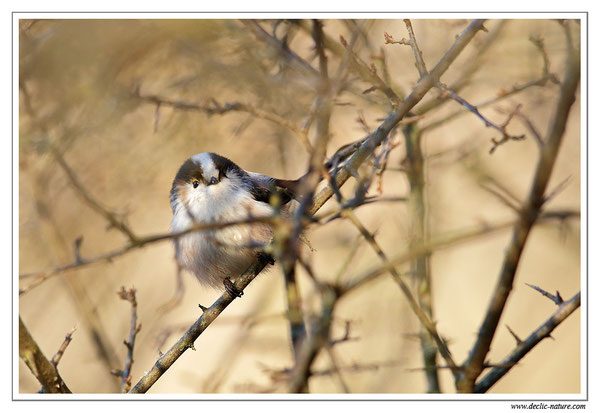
{"points": [[80, 86]]}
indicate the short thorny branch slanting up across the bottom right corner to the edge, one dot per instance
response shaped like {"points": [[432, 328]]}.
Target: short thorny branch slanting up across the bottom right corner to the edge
{"points": [[565, 309]]}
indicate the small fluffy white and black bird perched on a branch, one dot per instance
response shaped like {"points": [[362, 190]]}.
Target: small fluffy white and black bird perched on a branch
{"points": [[210, 188]]}
